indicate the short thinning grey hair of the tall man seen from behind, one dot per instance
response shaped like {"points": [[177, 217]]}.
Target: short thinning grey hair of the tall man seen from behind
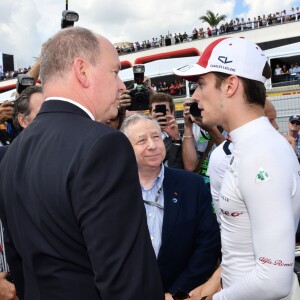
{"points": [[59, 52]]}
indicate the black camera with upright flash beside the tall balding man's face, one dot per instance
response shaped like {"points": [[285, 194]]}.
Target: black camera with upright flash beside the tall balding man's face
{"points": [[139, 95]]}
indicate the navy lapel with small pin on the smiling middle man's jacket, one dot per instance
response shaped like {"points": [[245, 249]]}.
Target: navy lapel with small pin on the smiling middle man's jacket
{"points": [[172, 202]]}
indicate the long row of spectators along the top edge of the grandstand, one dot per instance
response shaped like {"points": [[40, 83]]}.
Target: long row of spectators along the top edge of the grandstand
{"points": [[239, 24]]}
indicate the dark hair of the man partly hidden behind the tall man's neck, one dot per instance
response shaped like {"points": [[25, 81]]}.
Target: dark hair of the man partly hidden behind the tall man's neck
{"points": [[22, 104]]}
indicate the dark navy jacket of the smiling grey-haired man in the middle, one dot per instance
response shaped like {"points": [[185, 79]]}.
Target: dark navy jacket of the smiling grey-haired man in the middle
{"points": [[190, 235]]}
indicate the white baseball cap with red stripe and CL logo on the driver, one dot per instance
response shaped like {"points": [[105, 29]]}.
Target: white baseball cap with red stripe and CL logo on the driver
{"points": [[236, 56]]}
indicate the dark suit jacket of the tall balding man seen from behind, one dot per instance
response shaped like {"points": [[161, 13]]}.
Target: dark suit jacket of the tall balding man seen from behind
{"points": [[73, 212]]}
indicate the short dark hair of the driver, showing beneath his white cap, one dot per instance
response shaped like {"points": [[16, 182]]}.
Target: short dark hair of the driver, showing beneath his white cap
{"points": [[254, 91]]}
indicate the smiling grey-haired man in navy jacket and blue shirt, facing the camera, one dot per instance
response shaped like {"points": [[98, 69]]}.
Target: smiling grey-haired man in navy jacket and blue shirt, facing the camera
{"points": [[183, 229]]}
